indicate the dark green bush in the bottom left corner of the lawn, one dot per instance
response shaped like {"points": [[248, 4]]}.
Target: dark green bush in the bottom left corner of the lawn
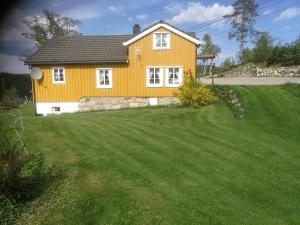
{"points": [[23, 177]]}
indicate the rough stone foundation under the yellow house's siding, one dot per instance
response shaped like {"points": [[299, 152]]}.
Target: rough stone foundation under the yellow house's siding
{"points": [[107, 103]]}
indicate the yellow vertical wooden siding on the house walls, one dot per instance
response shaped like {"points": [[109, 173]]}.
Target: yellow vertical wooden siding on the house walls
{"points": [[127, 79]]}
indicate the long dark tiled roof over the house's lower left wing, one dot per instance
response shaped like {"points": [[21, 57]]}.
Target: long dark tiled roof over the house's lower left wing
{"points": [[82, 49]]}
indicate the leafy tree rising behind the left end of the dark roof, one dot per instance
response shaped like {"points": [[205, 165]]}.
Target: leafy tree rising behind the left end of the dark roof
{"points": [[51, 25]]}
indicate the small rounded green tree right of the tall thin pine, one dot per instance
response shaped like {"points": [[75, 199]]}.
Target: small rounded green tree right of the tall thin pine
{"points": [[263, 47]]}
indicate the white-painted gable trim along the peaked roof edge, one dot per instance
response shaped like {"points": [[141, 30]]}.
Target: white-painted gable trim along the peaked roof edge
{"points": [[166, 26]]}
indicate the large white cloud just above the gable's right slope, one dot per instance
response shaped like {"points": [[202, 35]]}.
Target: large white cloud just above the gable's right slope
{"points": [[195, 12]]}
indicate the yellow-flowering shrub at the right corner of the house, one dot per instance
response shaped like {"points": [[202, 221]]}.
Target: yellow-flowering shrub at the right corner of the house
{"points": [[193, 94]]}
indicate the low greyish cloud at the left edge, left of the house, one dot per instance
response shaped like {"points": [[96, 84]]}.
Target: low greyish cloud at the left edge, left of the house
{"points": [[12, 64]]}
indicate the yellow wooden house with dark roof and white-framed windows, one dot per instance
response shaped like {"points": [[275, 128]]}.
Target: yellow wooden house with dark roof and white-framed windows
{"points": [[112, 71]]}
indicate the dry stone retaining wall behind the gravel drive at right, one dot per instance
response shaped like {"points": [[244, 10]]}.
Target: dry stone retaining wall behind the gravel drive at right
{"points": [[255, 71]]}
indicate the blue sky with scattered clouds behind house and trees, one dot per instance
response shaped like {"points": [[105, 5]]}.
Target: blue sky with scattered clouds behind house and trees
{"points": [[99, 17]]}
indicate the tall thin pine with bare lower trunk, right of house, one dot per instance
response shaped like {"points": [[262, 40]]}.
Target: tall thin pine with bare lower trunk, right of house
{"points": [[242, 22]]}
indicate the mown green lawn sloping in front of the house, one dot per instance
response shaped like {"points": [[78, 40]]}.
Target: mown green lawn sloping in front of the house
{"points": [[173, 165]]}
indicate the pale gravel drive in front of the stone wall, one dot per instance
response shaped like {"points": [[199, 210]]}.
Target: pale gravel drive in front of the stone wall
{"points": [[251, 80]]}
